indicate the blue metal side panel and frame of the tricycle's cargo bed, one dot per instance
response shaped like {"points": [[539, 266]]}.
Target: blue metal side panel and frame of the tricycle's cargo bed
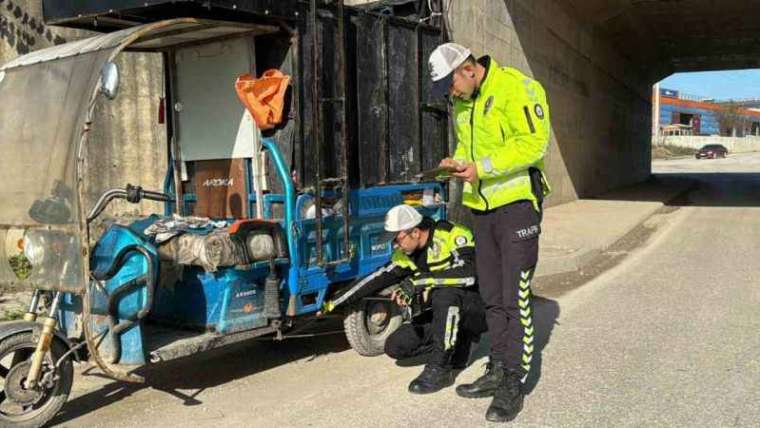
{"points": [[367, 208]]}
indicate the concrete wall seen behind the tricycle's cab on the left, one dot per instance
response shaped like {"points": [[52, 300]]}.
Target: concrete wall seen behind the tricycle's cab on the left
{"points": [[127, 144]]}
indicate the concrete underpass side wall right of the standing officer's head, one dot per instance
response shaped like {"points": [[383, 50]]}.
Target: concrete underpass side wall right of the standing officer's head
{"points": [[600, 107]]}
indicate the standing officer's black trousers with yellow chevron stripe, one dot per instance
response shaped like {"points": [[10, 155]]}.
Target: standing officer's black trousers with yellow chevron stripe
{"points": [[506, 253]]}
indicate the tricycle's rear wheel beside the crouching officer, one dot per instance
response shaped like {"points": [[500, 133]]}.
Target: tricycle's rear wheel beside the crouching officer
{"points": [[365, 334]]}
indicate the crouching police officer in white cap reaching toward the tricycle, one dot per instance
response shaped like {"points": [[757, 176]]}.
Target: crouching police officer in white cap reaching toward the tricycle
{"points": [[434, 262]]}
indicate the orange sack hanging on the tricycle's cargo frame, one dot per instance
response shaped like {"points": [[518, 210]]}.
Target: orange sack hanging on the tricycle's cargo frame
{"points": [[264, 97]]}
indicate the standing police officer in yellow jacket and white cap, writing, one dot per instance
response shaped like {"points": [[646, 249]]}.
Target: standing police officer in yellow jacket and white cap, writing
{"points": [[501, 120]]}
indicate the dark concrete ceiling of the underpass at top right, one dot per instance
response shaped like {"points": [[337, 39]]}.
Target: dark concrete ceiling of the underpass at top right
{"points": [[679, 35]]}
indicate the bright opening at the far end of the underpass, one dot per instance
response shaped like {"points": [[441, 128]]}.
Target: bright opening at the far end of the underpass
{"points": [[711, 139]]}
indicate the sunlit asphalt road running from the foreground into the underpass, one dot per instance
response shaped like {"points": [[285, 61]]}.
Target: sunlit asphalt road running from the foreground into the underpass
{"points": [[668, 337]]}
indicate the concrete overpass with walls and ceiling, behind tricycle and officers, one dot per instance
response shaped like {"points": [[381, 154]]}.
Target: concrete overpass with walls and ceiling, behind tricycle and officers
{"points": [[597, 59]]}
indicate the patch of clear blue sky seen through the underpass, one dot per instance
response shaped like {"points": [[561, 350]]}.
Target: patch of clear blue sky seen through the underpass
{"points": [[734, 84]]}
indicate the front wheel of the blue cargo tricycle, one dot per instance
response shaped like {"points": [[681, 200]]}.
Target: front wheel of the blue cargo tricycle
{"points": [[52, 399]]}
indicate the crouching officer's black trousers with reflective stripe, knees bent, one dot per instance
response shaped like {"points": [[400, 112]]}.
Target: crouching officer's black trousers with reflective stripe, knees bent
{"points": [[446, 330]]}
